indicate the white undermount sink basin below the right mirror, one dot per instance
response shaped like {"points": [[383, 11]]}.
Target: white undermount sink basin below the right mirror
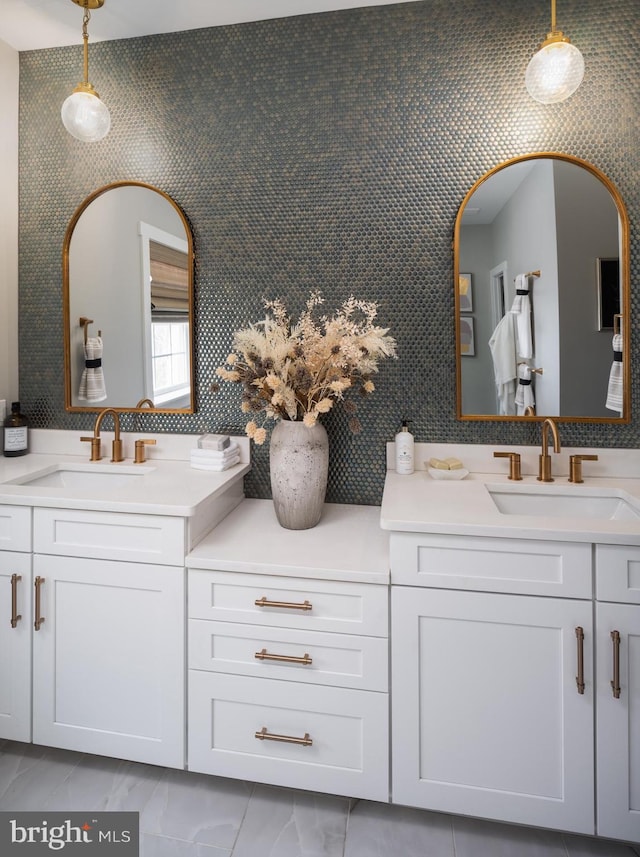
{"points": [[554, 503]]}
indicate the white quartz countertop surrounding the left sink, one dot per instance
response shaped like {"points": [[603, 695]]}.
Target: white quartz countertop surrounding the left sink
{"points": [[166, 486]]}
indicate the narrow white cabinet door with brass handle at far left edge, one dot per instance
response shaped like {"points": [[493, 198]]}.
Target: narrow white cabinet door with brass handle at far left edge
{"points": [[15, 646]]}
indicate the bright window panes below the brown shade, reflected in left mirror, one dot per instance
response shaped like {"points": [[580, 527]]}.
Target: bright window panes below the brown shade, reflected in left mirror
{"points": [[169, 359]]}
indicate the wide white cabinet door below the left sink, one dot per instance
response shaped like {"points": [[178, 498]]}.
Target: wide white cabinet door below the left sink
{"points": [[108, 660]]}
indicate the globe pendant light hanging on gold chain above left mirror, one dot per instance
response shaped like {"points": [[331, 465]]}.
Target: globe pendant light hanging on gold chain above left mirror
{"points": [[83, 114]]}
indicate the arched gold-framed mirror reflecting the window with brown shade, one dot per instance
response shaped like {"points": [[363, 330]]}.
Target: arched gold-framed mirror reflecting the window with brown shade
{"points": [[128, 302]]}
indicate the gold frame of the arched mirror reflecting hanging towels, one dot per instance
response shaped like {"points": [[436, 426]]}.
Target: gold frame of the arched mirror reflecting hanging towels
{"points": [[625, 303]]}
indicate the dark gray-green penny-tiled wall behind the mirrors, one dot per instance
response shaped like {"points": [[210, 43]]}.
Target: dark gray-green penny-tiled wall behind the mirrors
{"points": [[328, 151]]}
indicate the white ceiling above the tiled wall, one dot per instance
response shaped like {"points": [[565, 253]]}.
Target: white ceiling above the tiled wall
{"points": [[34, 24]]}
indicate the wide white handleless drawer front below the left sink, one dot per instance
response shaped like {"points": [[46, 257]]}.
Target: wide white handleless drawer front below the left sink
{"points": [[110, 535]]}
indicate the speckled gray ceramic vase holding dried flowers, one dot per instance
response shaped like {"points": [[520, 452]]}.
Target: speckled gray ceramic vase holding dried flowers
{"points": [[299, 463]]}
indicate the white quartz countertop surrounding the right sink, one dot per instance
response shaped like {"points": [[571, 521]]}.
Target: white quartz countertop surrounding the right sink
{"points": [[419, 503]]}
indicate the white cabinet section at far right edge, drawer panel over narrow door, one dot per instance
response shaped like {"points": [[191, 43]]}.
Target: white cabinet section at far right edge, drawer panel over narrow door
{"points": [[618, 693]]}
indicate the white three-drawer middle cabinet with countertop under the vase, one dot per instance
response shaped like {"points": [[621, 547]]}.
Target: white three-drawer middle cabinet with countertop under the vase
{"points": [[288, 667]]}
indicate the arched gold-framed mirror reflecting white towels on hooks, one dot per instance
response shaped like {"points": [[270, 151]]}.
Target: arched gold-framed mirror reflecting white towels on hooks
{"points": [[554, 228]]}
